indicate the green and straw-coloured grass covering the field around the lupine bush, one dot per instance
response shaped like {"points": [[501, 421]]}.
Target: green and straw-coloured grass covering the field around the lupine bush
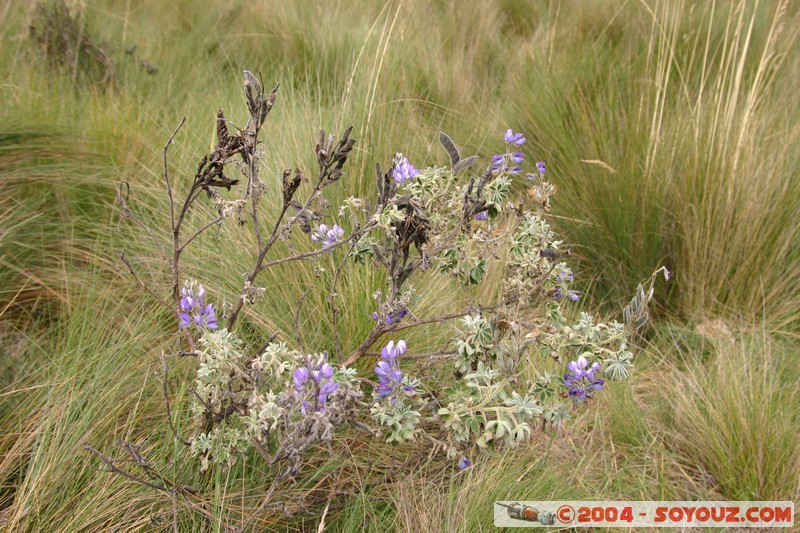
{"points": [[670, 129]]}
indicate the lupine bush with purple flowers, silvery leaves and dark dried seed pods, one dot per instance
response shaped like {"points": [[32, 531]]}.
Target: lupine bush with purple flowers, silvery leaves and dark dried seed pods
{"points": [[517, 364]]}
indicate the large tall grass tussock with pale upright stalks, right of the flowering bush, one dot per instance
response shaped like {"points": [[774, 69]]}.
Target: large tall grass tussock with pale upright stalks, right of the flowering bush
{"points": [[675, 138]]}
